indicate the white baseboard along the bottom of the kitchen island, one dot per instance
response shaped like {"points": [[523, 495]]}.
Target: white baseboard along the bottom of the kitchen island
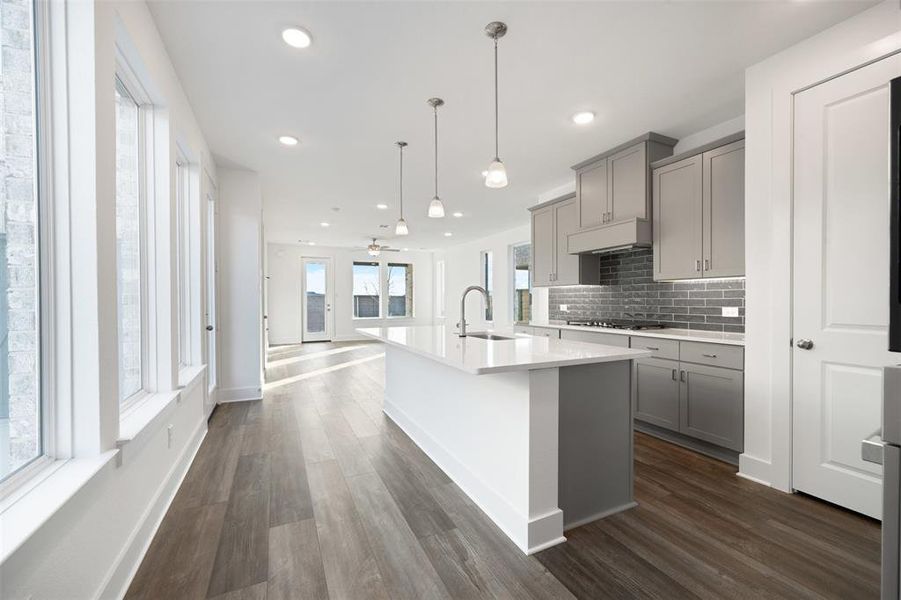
{"points": [[530, 535]]}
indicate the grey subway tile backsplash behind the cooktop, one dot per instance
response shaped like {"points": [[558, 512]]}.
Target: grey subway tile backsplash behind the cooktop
{"points": [[628, 291]]}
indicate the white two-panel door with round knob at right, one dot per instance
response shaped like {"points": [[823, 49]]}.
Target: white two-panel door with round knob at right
{"points": [[840, 287]]}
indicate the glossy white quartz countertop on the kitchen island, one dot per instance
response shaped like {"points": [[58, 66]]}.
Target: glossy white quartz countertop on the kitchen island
{"points": [[479, 357]]}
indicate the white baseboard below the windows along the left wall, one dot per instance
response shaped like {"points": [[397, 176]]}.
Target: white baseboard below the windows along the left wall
{"points": [[126, 565]]}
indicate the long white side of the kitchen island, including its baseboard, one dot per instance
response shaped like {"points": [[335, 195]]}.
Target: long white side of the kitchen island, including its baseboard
{"points": [[478, 429]]}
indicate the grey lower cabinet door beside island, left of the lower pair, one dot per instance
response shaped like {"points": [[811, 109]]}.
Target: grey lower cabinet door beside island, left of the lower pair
{"points": [[657, 392]]}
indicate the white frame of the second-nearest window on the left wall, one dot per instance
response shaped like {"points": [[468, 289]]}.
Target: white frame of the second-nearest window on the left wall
{"points": [[138, 93]]}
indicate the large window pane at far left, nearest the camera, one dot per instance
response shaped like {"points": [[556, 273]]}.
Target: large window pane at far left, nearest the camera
{"points": [[21, 425]]}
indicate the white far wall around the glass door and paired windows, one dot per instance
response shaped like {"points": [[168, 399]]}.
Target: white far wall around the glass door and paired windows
{"points": [[284, 290]]}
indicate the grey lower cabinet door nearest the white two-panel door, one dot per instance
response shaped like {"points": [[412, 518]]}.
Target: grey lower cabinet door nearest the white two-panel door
{"points": [[712, 405]]}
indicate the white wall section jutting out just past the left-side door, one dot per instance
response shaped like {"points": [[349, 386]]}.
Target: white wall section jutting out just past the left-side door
{"points": [[240, 280]]}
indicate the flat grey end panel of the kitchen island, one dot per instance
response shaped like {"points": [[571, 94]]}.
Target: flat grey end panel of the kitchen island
{"points": [[596, 454]]}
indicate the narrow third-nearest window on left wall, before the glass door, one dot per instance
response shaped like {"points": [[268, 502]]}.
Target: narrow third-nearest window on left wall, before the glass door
{"points": [[183, 259]]}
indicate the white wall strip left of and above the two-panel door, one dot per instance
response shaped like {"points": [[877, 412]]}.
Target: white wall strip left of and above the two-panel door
{"points": [[769, 86]]}
